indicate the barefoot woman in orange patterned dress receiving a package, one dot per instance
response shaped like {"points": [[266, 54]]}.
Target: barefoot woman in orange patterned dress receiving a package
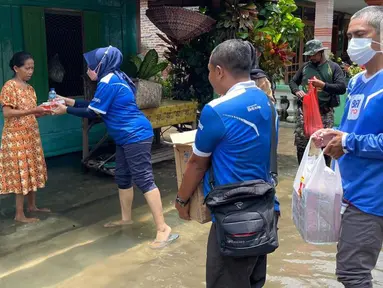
{"points": [[22, 163]]}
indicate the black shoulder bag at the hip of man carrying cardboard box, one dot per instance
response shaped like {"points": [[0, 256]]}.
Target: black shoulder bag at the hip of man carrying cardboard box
{"points": [[246, 223]]}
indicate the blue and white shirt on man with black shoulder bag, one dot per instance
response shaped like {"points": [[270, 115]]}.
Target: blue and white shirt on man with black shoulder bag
{"points": [[235, 131]]}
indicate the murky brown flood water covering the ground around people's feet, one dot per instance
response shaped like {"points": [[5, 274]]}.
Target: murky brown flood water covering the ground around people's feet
{"points": [[85, 254]]}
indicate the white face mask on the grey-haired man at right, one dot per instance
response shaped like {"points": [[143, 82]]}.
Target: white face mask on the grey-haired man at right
{"points": [[360, 51]]}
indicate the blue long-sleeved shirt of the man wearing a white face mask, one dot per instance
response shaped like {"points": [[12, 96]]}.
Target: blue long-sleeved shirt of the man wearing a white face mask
{"points": [[362, 165]]}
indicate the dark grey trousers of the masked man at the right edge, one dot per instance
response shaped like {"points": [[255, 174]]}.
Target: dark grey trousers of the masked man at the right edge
{"points": [[359, 246]]}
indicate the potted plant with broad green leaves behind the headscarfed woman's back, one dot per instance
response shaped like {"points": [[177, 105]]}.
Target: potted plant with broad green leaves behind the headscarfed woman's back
{"points": [[143, 71]]}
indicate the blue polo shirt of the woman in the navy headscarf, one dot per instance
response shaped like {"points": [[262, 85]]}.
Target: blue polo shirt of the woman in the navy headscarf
{"points": [[115, 102]]}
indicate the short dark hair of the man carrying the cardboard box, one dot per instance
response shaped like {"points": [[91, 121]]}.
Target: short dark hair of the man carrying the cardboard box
{"points": [[234, 55]]}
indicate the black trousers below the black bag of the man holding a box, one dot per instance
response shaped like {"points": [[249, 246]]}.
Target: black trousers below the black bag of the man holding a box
{"points": [[229, 272]]}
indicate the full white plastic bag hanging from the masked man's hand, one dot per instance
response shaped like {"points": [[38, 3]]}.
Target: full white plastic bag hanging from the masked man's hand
{"points": [[317, 199]]}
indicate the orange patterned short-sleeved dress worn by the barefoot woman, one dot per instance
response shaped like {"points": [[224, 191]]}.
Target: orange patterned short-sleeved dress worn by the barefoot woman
{"points": [[22, 162]]}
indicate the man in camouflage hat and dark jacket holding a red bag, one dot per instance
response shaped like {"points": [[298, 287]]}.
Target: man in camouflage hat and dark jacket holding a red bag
{"points": [[330, 82]]}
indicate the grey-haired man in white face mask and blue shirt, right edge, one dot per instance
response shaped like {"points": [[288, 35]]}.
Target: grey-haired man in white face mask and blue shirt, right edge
{"points": [[358, 144]]}
